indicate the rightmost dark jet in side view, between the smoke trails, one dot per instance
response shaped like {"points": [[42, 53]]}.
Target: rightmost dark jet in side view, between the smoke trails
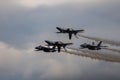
{"points": [[92, 47]]}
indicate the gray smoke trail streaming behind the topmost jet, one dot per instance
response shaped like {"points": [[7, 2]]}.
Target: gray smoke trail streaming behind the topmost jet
{"points": [[116, 43]]}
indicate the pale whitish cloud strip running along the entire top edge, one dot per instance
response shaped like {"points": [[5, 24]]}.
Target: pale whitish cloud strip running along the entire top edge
{"points": [[37, 3]]}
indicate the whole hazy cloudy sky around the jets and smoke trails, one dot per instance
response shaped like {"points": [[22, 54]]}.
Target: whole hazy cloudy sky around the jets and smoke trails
{"points": [[25, 24]]}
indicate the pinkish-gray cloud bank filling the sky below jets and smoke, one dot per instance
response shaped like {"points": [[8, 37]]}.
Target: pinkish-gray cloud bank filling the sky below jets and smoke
{"points": [[29, 65]]}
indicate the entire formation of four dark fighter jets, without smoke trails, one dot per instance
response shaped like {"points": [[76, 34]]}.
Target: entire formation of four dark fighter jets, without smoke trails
{"points": [[53, 46]]}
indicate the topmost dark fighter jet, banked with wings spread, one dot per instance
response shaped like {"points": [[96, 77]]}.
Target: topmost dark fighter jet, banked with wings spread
{"points": [[70, 31]]}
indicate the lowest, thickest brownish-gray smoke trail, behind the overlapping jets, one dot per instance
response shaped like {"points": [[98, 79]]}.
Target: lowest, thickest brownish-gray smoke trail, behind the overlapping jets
{"points": [[93, 55]]}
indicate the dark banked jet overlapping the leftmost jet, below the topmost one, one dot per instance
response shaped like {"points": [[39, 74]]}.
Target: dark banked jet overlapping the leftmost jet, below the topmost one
{"points": [[57, 44]]}
